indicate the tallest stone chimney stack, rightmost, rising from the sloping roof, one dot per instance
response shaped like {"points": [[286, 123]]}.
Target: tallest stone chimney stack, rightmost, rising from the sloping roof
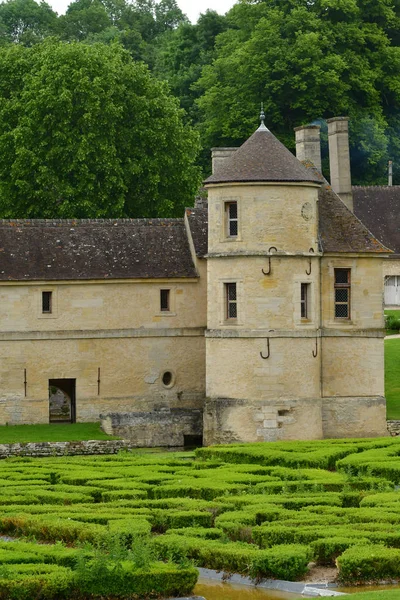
{"points": [[339, 159]]}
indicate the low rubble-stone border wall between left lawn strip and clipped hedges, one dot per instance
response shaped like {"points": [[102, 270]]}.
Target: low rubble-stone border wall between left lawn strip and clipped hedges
{"points": [[40, 449]]}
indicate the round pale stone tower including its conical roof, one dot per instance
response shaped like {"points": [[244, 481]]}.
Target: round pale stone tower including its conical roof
{"points": [[262, 342]]}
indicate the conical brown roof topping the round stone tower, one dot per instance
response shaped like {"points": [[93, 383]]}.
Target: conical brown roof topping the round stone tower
{"points": [[262, 158]]}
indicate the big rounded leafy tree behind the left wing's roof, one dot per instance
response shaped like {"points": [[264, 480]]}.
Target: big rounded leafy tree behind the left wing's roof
{"points": [[86, 132]]}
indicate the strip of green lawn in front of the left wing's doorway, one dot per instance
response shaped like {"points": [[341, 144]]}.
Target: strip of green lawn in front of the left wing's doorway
{"points": [[59, 432]]}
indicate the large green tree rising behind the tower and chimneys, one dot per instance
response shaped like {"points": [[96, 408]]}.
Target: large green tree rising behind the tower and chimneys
{"points": [[307, 60]]}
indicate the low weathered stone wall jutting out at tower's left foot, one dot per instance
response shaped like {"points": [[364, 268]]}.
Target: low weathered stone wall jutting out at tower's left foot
{"points": [[164, 428]]}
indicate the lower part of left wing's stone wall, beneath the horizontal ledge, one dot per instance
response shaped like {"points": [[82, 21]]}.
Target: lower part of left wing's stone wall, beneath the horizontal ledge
{"points": [[131, 372]]}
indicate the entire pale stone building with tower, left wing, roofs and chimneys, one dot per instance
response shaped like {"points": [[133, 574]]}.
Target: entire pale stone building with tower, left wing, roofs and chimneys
{"points": [[256, 318]]}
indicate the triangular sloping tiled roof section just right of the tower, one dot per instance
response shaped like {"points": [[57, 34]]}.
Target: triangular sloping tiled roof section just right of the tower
{"points": [[340, 230]]}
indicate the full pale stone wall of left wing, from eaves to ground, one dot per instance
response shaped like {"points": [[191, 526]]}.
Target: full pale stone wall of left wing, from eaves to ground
{"points": [[111, 338]]}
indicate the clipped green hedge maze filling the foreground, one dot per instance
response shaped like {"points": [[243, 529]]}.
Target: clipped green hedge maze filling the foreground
{"points": [[133, 525]]}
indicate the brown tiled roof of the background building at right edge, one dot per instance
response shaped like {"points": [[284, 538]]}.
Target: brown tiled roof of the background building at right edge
{"points": [[379, 208]]}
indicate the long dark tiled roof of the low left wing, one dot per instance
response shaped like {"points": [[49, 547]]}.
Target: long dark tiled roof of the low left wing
{"points": [[94, 249]]}
